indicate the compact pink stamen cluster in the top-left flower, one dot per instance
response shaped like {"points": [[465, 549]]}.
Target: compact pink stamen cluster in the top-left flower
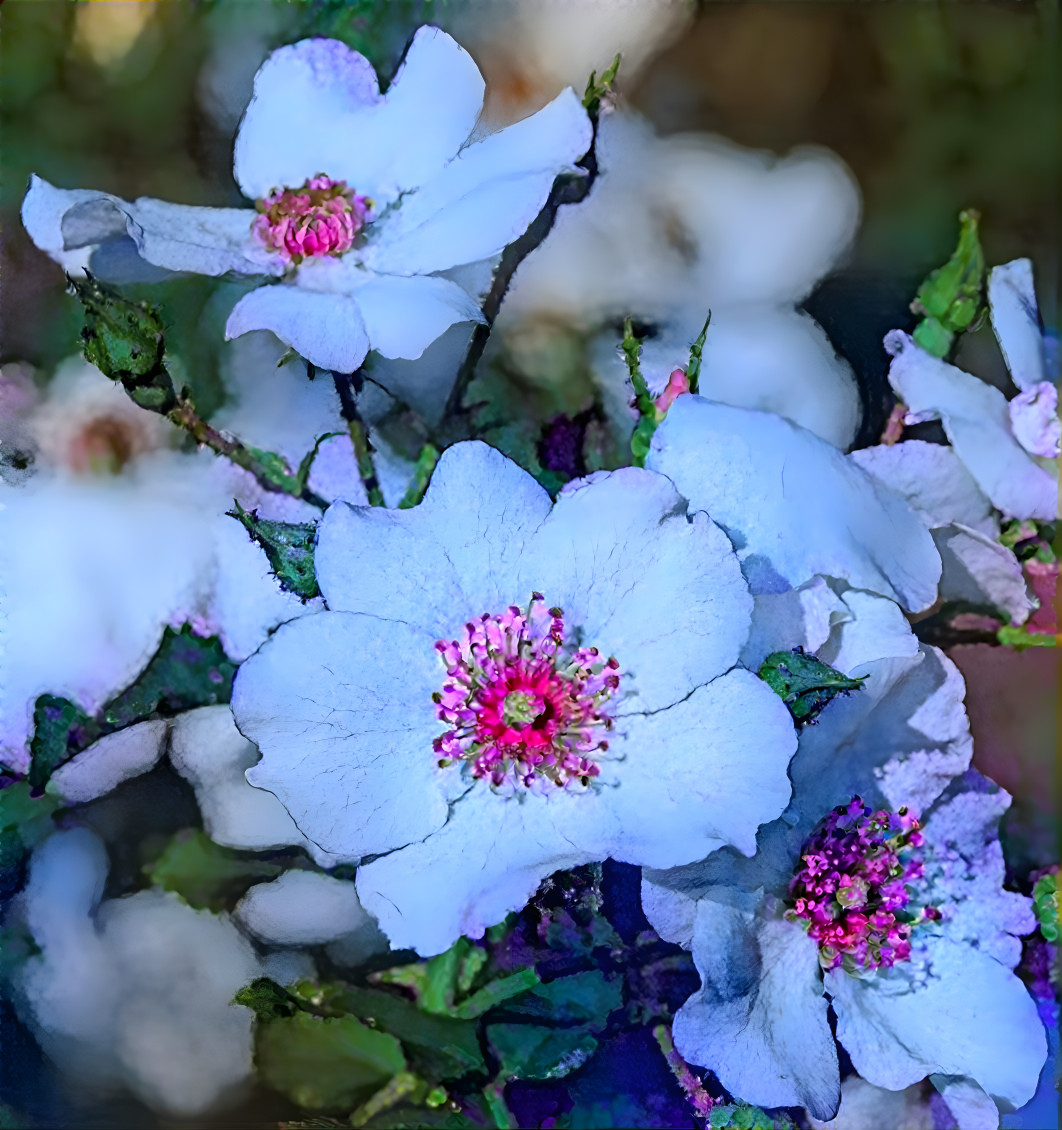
{"points": [[321, 219]]}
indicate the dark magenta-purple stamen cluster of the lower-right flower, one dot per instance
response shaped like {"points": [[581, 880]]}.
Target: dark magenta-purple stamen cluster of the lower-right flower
{"points": [[851, 888]]}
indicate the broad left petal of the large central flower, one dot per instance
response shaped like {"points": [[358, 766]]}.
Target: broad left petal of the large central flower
{"points": [[341, 707]]}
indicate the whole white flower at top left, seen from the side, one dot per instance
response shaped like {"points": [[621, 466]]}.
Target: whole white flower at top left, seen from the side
{"points": [[364, 198]]}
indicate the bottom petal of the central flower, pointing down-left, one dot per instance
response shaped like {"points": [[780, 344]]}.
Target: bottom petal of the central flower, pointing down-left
{"points": [[486, 862]]}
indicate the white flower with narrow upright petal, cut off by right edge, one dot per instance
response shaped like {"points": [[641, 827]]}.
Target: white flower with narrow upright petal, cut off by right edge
{"points": [[1011, 448]]}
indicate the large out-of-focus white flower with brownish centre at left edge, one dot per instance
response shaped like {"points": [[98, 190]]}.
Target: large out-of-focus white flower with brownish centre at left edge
{"points": [[114, 537]]}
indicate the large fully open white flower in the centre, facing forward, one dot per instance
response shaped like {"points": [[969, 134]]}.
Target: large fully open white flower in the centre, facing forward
{"points": [[528, 741]]}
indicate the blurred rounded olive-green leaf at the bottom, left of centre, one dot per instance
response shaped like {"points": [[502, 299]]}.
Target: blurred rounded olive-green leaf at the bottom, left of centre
{"points": [[330, 1063]]}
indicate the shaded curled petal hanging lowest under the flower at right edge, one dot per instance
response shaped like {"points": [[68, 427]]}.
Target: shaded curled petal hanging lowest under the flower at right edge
{"points": [[979, 571]]}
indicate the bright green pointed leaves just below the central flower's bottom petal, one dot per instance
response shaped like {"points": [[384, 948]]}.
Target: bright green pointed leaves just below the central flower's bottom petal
{"points": [[445, 985]]}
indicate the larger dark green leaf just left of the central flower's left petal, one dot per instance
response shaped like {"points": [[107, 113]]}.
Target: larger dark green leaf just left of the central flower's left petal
{"points": [[187, 672]]}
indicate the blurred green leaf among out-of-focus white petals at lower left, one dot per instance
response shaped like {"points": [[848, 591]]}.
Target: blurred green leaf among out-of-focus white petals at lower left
{"points": [[204, 874]]}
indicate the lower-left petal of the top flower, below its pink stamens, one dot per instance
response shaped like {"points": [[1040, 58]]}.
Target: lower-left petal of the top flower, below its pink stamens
{"points": [[327, 329]]}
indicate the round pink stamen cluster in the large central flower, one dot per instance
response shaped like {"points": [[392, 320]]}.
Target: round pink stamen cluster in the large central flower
{"points": [[521, 707]]}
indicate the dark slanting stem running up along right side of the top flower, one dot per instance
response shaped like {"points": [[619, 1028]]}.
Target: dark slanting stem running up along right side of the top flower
{"points": [[565, 192]]}
